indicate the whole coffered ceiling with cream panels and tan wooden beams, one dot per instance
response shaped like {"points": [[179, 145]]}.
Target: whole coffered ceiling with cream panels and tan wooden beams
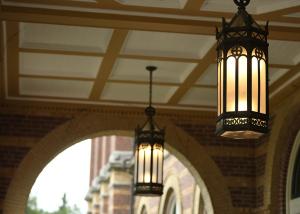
{"points": [[85, 51]]}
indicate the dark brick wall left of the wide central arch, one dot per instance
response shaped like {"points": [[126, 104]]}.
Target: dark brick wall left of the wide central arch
{"points": [[17, 134]]}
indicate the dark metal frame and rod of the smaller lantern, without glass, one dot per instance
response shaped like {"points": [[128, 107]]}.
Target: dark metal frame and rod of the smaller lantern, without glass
{"points": [[149, 134]]}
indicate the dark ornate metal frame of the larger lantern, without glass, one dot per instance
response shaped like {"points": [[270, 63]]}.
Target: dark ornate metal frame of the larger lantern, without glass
{"points": [[241, 33]]}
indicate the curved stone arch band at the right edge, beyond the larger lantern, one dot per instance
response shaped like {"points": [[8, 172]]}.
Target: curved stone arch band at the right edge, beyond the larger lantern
{"points": [[281, 141]]}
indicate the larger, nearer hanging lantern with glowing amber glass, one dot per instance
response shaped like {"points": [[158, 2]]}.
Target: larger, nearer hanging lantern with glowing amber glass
{"points": [[242, 61]]}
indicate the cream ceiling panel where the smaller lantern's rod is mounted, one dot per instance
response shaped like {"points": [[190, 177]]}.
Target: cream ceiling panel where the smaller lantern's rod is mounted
{"points": [[131, 69]]}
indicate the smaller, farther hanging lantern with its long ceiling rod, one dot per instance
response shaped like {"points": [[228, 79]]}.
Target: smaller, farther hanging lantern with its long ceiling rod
{"points": [[149, 151]]}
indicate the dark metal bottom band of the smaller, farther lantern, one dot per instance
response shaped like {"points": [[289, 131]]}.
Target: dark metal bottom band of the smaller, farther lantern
{"points": [[148, 189]]}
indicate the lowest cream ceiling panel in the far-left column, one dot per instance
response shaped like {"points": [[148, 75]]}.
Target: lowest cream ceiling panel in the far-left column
{"points": [[55, 88]]}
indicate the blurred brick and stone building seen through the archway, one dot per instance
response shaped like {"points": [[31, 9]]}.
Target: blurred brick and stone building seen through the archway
{"points": [[111, 182]]}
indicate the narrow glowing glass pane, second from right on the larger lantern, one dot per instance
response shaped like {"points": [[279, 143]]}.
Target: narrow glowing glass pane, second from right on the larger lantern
{"points": [[254, 84]]}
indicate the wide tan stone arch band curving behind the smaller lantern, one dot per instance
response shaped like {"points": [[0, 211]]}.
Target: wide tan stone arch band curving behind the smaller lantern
{"points": [[88, 125]]}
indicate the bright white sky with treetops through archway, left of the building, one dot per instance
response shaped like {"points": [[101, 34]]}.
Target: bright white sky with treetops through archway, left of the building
{"points": [[63, 183]]}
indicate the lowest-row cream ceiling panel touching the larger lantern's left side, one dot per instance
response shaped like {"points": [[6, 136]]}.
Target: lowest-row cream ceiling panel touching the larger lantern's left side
{"points": [[200, 96]]}
